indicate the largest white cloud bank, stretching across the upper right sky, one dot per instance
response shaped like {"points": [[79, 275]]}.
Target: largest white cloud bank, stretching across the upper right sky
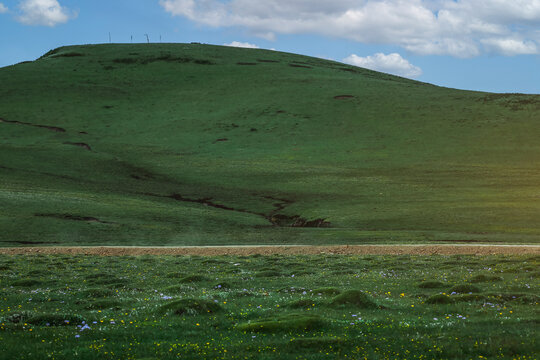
{"points": [[461, 28]]}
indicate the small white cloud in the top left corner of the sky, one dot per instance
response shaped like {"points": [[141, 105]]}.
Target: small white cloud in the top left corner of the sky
{"points": [[43, 12]]}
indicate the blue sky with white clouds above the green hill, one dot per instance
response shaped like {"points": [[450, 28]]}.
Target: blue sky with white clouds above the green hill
{"points": [[488, 45]]}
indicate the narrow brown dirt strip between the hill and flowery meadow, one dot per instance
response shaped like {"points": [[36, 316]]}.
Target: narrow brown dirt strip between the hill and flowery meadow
{"points": [[285, 250]]}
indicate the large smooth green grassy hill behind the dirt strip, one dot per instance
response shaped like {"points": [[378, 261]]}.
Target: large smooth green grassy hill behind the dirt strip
{"points": [[177, 144]]}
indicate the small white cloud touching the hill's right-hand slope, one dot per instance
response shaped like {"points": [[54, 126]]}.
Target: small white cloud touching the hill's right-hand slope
{"points": [[391, 63]]}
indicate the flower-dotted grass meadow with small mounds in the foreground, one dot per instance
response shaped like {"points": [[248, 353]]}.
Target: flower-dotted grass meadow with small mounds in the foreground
{"points": [[269, 307]]}
